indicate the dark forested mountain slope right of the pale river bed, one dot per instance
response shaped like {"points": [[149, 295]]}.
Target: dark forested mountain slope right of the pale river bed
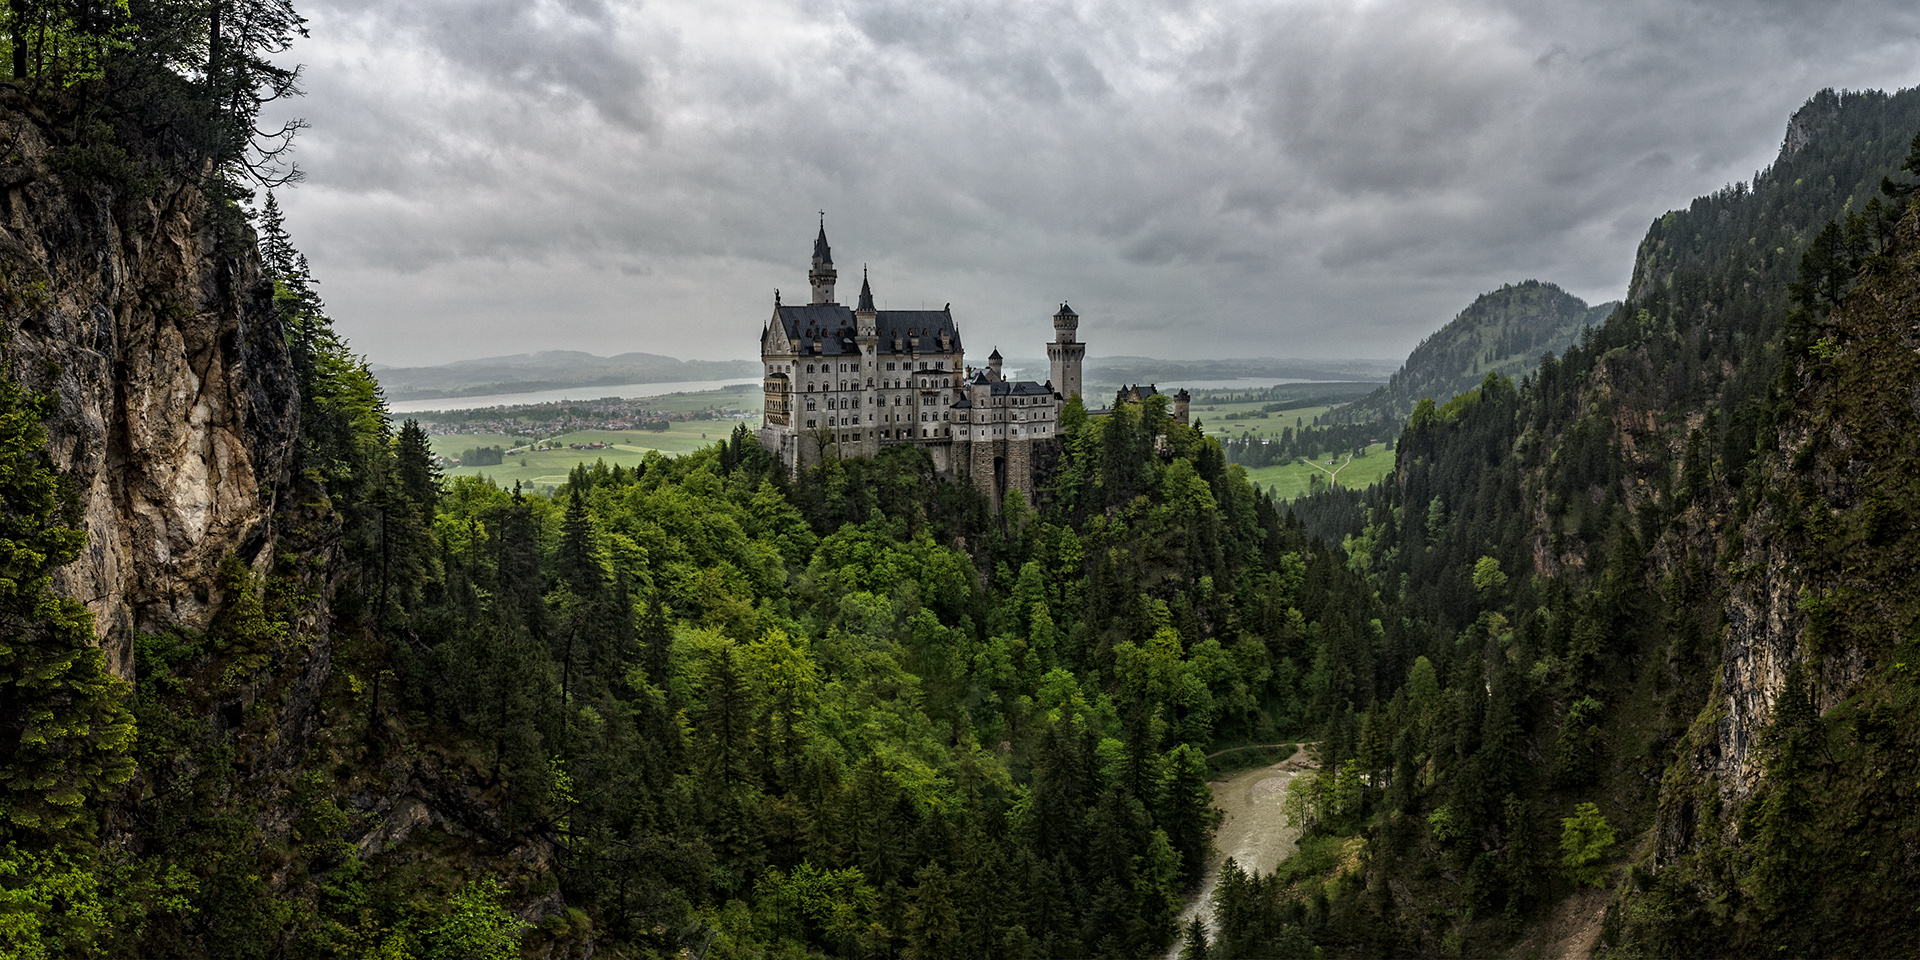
{"points": [[1664, 600]]}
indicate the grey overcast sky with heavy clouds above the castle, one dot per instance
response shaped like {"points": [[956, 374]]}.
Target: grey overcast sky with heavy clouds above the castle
{"points": [[1199, 180]]}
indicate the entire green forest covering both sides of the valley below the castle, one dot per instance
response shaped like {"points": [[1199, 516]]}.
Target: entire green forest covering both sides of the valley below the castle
{"points": [[706, 709]]}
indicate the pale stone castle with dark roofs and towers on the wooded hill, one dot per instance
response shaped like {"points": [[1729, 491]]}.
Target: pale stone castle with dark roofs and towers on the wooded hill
{"points": [[850, 383]]}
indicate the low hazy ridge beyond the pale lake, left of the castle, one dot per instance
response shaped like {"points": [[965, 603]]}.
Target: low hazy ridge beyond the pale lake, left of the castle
{"points": [[550, 370]]}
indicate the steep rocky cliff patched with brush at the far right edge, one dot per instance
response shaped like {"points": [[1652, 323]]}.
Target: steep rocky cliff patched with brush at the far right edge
{"points": [[1827, 575]]}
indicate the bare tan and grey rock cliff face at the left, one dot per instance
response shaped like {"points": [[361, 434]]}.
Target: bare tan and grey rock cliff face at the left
{"points": [[178, 400]]}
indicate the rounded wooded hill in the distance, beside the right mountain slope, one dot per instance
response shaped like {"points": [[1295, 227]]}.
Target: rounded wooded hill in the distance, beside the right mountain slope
{"points": [[1504, 331]]}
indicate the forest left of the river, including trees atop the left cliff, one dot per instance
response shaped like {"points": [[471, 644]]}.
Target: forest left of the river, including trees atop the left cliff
{"points": [[694, 706]]}
